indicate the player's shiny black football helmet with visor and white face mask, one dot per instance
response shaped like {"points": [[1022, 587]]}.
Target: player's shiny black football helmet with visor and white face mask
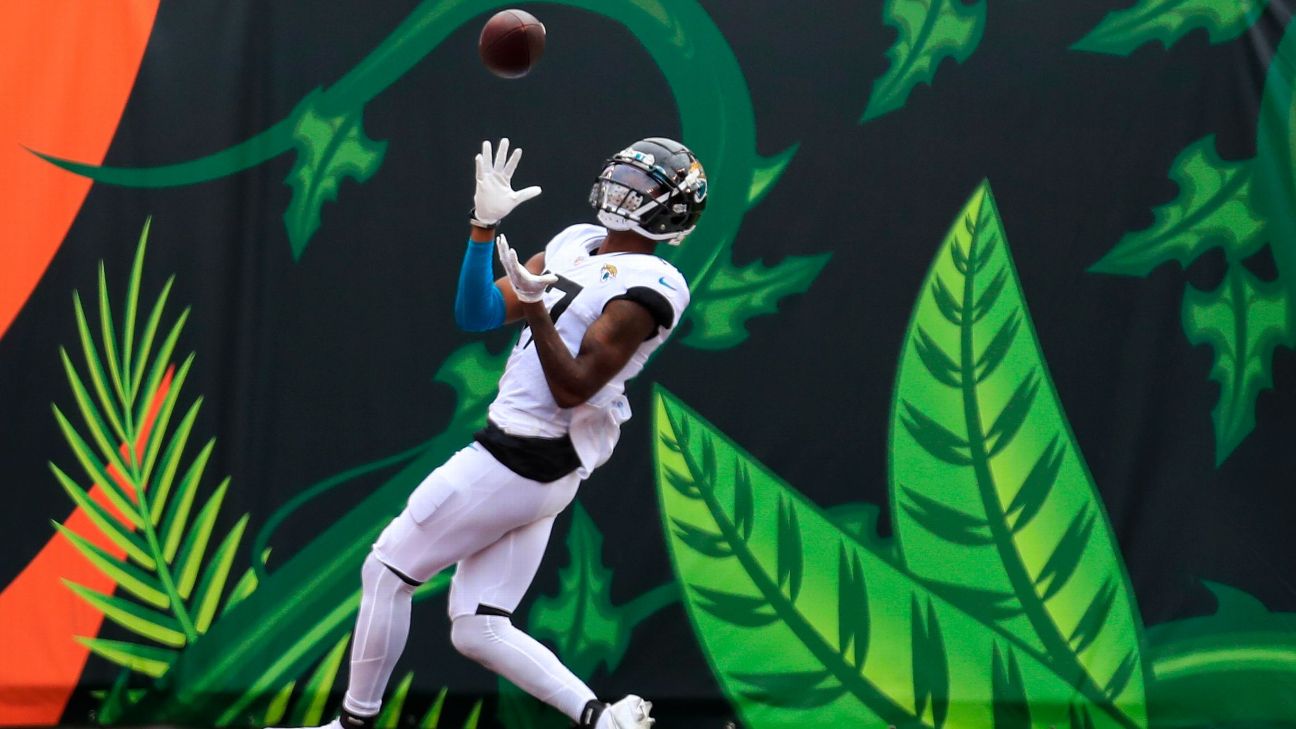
{"points": [[655, 187]]}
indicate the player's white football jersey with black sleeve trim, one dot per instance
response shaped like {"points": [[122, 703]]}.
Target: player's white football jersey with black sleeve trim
{"points": [[586, 285]]}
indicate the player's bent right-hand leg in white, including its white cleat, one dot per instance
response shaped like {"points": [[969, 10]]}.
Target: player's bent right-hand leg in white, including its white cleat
{"points": [[487, 590]]}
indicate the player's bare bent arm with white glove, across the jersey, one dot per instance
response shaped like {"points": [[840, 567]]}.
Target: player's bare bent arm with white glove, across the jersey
{"points": [[607, 346]]}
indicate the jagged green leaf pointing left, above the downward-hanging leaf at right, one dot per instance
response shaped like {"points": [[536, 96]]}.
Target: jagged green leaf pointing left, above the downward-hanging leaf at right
{"points": [[1215, 208]]}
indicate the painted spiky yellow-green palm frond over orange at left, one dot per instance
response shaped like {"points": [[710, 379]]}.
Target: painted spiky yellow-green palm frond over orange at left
{"points": [[141, 482]]}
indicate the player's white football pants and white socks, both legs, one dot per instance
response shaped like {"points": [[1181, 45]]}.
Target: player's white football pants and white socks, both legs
{"points": [[496, 526]]}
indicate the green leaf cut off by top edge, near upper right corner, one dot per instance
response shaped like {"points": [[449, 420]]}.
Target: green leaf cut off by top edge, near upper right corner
{"points": [[1168, 21]]}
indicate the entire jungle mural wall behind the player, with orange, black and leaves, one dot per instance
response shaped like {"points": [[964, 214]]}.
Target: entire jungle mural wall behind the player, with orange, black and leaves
{"points": [[982, 416]]}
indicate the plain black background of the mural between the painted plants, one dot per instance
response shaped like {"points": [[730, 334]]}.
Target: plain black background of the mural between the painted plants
{"points": [[316, 366]]}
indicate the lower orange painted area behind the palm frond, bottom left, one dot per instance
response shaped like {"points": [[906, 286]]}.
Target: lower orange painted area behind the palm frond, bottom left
{"points": [[40, 617]]}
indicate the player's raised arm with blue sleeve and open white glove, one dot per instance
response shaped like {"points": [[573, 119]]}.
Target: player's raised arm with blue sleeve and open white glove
{"points": [[481, 303]]}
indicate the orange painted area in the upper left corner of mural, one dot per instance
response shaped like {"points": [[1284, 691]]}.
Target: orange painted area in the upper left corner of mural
{"points": [[68, 68]]}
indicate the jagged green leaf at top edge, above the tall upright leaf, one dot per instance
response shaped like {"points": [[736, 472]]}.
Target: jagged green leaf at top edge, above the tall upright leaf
{"points": [[929, 33]]}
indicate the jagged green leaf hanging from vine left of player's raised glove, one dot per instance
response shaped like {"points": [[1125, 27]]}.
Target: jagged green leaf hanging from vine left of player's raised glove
{"points": [[331, 146]]}
